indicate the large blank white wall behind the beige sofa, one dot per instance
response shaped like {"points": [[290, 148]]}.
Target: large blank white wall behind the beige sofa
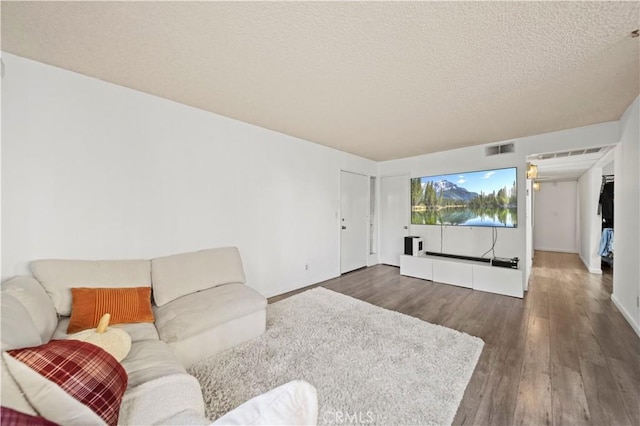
{"points": [[92, 170]]}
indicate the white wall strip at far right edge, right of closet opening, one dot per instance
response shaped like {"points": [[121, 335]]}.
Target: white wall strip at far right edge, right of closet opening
{"points": [[626, 264]]}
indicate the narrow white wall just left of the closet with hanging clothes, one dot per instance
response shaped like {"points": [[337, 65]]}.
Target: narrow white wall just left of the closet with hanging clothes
{"points": [[589, 219]]}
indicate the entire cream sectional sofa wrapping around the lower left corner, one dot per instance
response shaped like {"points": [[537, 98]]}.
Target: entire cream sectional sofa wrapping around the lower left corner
{"points": [[202, 307]]}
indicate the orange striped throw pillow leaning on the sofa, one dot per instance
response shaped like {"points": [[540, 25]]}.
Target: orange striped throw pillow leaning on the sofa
{"points": [[126, 305]]}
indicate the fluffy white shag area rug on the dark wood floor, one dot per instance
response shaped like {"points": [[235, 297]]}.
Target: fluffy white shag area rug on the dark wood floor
{"points": [[368, 364]]}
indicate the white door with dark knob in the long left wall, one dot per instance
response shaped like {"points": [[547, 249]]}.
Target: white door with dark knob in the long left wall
{"points": [[354, 209]]}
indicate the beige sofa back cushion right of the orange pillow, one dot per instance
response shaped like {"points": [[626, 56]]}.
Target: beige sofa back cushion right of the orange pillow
{"points": [[186, 273]]}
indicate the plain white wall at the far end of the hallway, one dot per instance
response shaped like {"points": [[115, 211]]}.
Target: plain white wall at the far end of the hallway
{"points": [[555, 217]]}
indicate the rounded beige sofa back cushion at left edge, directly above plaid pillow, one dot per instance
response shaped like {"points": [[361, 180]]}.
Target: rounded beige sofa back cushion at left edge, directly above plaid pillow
{"points": [[18, 330]]}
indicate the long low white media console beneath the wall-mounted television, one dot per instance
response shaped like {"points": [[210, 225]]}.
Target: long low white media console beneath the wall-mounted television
{"points": [[464, 273]]}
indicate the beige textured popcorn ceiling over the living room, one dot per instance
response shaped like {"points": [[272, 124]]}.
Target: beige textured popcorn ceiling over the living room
{"points": [[379, 79]]}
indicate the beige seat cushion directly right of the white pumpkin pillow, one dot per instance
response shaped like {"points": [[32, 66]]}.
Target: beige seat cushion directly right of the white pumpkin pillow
{"points": [[148, 360]]}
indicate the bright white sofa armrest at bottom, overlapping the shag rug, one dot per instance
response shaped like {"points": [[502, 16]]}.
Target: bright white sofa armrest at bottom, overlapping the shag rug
{"points": [[294, 403]]}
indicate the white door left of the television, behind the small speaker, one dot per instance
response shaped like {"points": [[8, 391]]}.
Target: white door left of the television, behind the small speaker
{"points": [[394, 217]]}
